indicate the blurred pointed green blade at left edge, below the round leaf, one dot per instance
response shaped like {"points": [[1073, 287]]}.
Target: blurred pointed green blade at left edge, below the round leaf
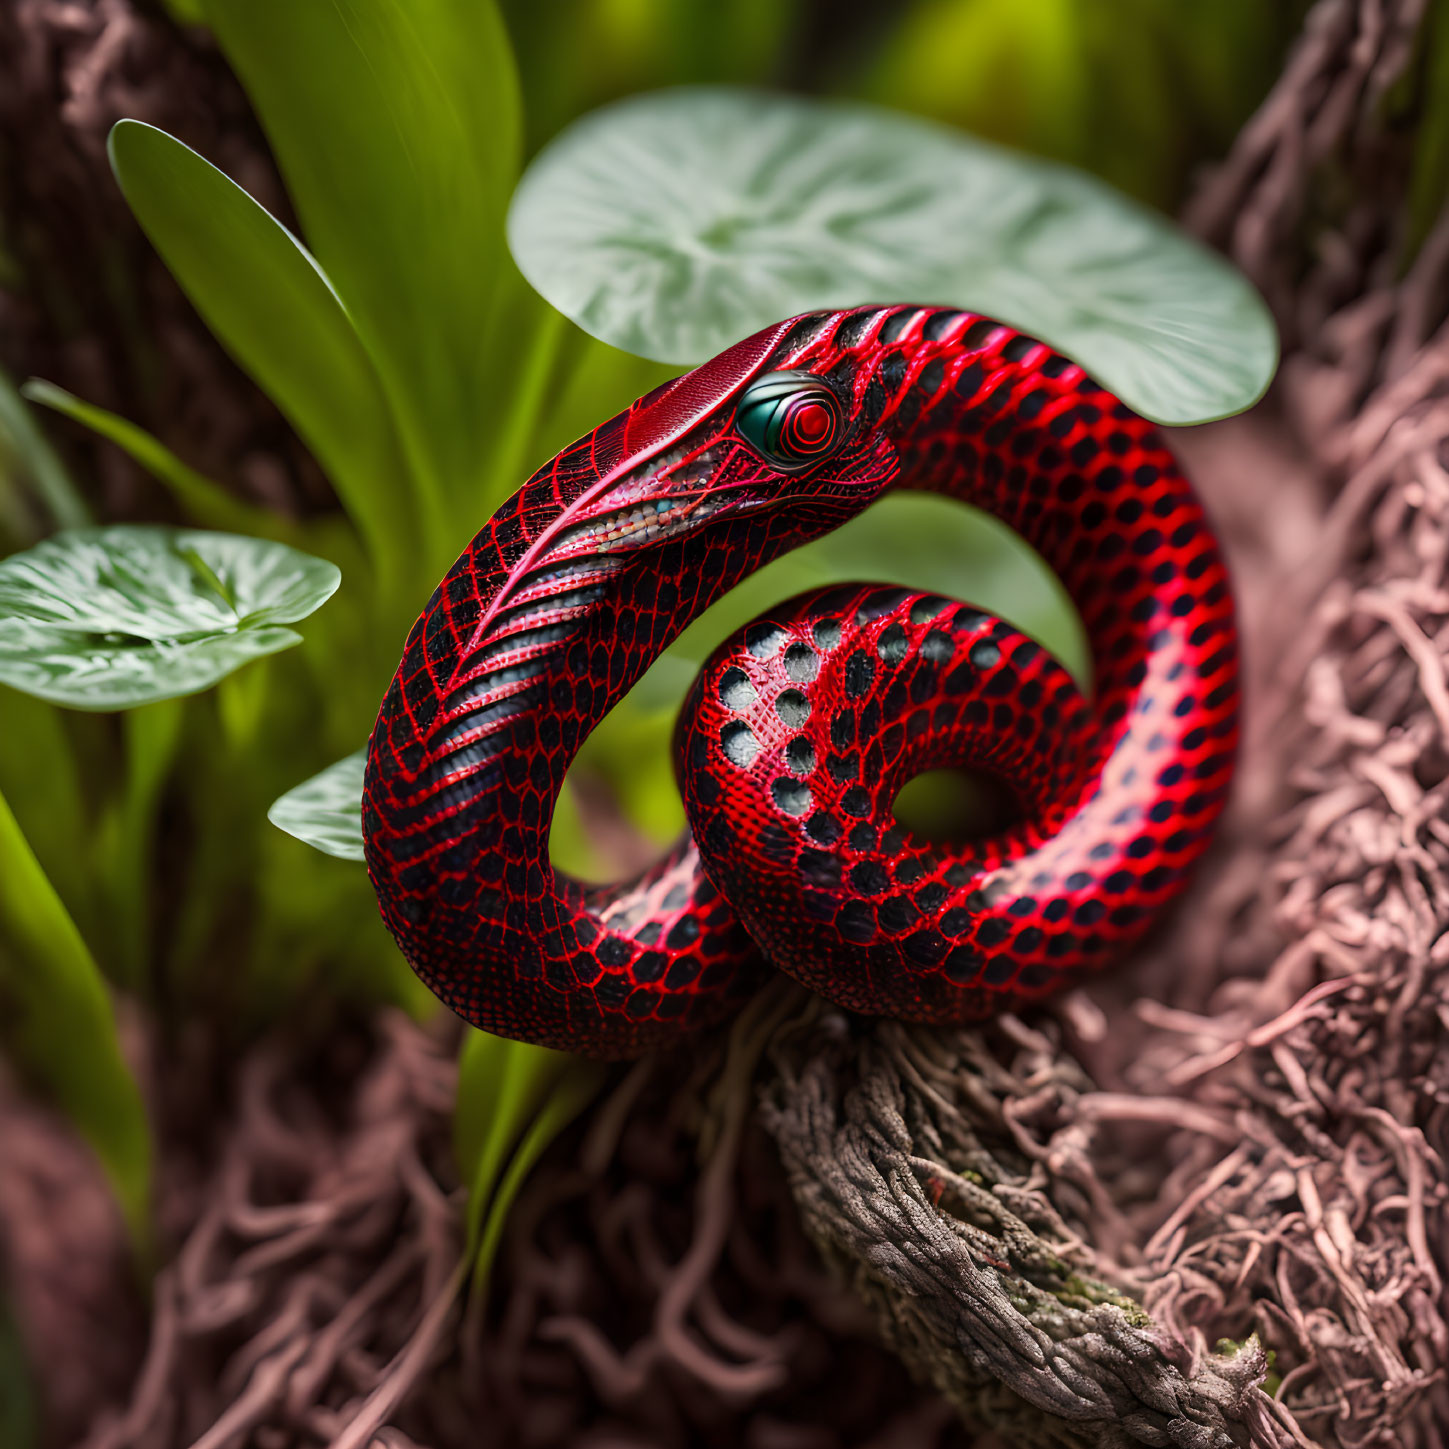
{"points": [[59, 1018]]}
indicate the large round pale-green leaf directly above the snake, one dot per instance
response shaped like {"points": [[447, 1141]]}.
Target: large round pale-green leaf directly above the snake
{"points": [[677, 222]]}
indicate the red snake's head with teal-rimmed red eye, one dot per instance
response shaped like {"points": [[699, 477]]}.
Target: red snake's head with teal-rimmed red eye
{"points": [[740, 435]]}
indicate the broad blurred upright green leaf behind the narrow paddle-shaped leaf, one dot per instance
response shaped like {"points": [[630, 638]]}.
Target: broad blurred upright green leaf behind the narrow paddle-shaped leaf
{"points": [[396, 128]]}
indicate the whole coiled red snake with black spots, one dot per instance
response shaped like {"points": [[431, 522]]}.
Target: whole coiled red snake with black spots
{"points": [[801, 731]]}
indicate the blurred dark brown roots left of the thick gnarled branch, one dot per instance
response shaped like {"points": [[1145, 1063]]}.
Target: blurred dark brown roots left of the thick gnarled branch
{"points": [[657, 1287]]}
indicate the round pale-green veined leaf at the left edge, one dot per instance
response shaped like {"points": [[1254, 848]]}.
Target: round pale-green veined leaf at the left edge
{"points": [[107, 619]]}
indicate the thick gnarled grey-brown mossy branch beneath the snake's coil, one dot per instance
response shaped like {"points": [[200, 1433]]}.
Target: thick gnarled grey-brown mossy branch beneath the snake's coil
{"points": [[902, 1157]]}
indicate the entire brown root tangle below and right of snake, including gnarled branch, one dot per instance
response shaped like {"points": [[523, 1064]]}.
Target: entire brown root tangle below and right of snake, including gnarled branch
{"points": [[1056, 1221]]}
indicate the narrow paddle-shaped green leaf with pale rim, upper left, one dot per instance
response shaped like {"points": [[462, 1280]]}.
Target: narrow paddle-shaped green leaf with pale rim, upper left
{"points": [[276, 312]]}
